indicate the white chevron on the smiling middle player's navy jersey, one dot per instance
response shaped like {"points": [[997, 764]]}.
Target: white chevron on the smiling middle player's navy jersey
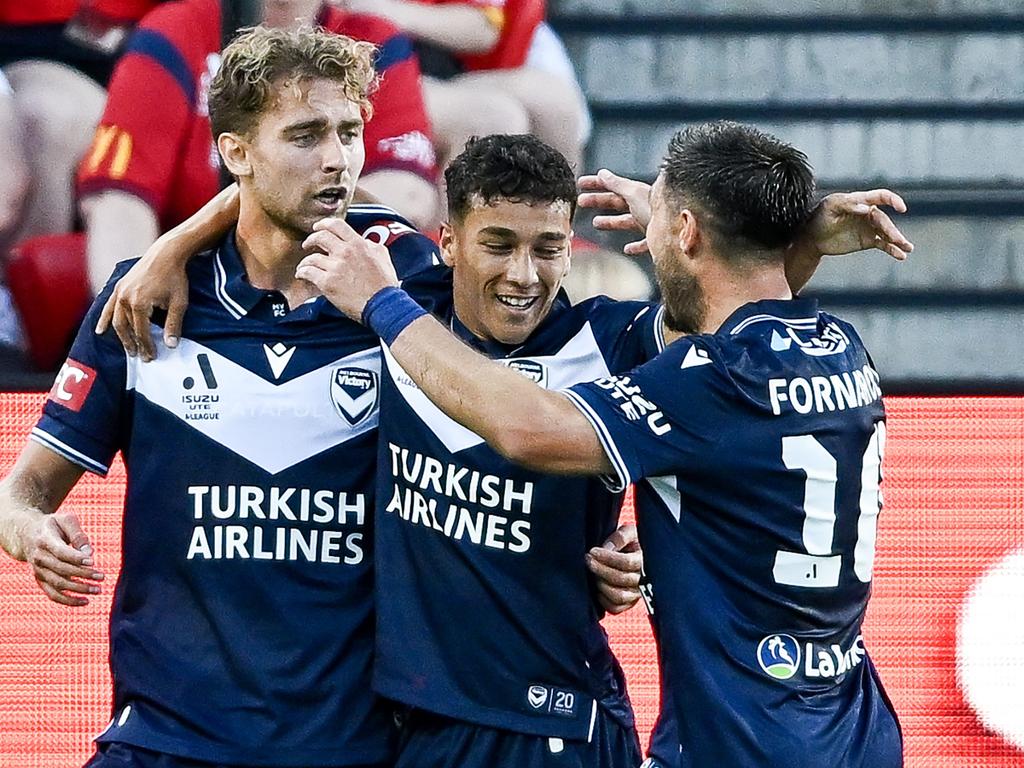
{"points": [[579, 361]]}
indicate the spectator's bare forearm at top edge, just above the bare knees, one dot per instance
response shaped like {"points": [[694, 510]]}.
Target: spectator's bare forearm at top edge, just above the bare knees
{"points": [[457, 28]]}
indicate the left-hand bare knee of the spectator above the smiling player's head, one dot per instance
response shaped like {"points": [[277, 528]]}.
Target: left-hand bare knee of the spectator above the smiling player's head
{"points": [[461, 109]]}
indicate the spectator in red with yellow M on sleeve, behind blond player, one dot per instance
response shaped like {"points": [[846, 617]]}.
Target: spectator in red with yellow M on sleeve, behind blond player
{"points": [[154, 163]]}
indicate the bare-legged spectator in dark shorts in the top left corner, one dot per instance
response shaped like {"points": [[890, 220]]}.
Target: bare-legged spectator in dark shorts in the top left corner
{"points": [[56, 57]]}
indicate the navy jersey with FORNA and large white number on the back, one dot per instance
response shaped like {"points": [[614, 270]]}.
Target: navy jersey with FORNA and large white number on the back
{"points": [[757, 452]]}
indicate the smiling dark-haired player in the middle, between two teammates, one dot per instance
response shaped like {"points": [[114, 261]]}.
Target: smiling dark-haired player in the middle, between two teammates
{"points": [[487, 624]]}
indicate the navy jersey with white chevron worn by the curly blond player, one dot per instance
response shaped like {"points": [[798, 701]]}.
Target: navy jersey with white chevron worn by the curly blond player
{"points": [[242, 629]]}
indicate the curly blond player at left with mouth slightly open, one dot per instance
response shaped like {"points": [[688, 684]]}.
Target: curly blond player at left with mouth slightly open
{"points": [[242, 629]]}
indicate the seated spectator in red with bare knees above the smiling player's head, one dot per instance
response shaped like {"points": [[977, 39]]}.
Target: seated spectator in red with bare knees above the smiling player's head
{"points": [[514, 73]]}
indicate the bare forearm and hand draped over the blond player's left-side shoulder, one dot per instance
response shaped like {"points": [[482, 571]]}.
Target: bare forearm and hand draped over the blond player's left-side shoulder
{"points": [[159, 278]]}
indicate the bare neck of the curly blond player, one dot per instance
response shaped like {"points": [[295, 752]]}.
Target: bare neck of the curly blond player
{"points": [[270, 257]]}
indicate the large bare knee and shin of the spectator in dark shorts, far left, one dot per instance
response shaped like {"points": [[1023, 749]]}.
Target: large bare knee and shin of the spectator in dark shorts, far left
{"points": [[60, 109]]}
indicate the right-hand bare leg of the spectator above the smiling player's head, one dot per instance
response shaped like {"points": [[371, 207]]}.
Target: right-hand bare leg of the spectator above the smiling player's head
{"points": [[551, 103]]}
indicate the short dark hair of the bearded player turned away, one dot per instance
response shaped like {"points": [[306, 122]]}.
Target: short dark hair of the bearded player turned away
{"points": [[755, 191]]}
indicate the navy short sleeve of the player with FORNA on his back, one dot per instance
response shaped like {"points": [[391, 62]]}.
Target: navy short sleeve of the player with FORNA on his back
{"points": [[660, 418]]}
